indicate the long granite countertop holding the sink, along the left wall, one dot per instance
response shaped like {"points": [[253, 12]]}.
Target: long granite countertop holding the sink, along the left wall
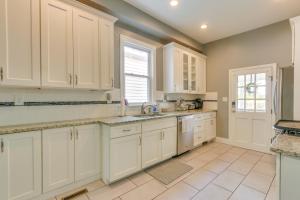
{"points": [[111, 121]]}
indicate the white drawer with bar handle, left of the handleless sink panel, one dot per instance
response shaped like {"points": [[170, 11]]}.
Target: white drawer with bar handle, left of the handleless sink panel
{"points": [[129, 129]]}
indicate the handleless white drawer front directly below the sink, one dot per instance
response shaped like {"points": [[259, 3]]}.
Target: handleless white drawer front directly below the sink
{"points": [[159, 124]]}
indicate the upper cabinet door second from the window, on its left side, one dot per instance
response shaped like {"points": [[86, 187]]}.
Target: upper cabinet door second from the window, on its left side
{"points": [[86, 50]]}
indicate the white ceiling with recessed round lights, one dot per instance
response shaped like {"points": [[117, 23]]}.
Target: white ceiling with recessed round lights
{"points": [[223, 17]]}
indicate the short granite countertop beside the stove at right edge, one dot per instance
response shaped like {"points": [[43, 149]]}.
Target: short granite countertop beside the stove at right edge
{"points": [[287, 145]]}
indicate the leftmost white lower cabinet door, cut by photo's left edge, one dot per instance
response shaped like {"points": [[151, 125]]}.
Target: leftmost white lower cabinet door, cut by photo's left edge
{"points": [[20, 164]]}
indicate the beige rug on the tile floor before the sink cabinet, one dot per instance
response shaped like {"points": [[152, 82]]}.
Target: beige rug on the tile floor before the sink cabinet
{"points": [[169, 171]]}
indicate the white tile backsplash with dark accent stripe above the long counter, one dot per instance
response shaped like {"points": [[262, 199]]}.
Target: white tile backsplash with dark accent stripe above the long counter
{"points": [[56, 105]]}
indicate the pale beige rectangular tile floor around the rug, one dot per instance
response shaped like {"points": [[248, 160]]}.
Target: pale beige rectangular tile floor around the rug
{"points": [[220, 172]]}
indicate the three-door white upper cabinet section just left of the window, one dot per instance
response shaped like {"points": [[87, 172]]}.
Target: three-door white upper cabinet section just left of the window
{"points": [[77, 47]]}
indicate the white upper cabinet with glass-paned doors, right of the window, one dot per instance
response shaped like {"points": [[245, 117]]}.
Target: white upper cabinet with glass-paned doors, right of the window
{"points": [[184, 70]]}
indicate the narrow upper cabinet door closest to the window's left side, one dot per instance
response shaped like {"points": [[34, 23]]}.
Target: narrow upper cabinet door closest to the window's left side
{"points": [[107, 54]]}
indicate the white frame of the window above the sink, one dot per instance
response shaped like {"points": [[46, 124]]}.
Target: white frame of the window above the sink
{"points": [[126, 40]]}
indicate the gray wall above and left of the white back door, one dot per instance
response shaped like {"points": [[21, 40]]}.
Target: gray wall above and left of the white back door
{"points": [[270, 44]]}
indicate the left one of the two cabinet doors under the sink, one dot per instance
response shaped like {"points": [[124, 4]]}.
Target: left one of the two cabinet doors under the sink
{"points": [[151, 151]]}
